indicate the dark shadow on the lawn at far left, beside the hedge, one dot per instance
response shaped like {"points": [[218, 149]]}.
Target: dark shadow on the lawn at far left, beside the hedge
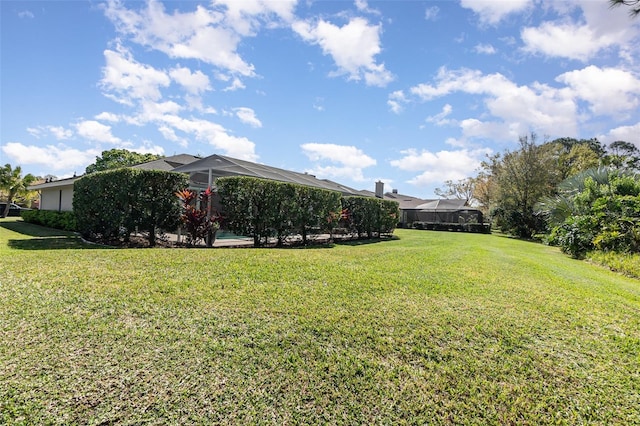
{"points": [[44, 238]]}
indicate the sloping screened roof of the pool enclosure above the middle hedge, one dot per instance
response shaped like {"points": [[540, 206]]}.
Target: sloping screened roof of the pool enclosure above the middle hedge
{"points": [[221, 166]]}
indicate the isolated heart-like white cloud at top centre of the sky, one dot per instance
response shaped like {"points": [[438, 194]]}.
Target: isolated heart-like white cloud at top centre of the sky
{"points": [[353, 48]]}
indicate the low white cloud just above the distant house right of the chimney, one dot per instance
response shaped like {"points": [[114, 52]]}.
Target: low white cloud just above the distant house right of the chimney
{"points": [[436, 167]]}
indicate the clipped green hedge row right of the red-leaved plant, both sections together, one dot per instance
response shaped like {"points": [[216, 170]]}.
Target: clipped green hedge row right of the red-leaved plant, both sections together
{"points": [[263, 208]]}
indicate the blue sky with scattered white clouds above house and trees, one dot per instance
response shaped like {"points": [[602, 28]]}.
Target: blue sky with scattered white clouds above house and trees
{"points": [[408, 92]]}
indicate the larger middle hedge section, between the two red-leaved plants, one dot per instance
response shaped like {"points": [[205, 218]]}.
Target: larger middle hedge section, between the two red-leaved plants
{"points": [[263, 208]]}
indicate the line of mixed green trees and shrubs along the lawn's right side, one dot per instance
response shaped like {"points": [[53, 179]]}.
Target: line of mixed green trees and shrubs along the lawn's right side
{"points": [[579, 193]]}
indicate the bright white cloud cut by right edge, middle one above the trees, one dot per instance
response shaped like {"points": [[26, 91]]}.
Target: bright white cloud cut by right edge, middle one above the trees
{"points": [[608, 91]]}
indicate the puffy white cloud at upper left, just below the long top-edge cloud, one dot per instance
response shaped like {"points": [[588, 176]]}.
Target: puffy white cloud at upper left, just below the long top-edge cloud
{"points": [[129, 79]]}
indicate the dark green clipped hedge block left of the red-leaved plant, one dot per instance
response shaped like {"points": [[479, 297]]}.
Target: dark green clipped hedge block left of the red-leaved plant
{"points": [[110, 205]]}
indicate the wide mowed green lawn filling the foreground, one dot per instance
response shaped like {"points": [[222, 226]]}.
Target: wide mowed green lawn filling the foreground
{"points": [[430, 328]]}
